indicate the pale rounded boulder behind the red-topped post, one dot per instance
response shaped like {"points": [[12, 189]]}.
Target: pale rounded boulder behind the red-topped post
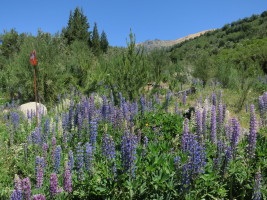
{"points": [[31, 108]]}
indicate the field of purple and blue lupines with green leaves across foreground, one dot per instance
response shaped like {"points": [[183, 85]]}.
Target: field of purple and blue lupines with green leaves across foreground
{"points": [[100, 147]]}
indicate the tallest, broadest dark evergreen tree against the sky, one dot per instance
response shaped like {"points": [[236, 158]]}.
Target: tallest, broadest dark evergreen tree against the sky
{"points": [[77, 28]]}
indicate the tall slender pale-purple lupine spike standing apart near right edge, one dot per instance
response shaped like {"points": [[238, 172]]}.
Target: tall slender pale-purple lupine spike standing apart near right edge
{"points": [[252, 133]]}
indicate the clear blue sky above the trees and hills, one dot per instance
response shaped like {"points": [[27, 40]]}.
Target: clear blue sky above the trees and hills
{"points": [[148, 19]]}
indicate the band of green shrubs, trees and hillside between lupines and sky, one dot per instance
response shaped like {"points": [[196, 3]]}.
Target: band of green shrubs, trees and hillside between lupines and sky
{"points": [[235, 56]]}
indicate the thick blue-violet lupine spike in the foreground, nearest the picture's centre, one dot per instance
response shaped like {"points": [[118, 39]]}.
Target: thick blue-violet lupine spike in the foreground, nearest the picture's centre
{"points": [[128, 152]]}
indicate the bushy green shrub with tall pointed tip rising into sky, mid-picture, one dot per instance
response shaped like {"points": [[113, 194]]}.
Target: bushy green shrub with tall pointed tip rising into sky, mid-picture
{"points": [[128, 72]]}
